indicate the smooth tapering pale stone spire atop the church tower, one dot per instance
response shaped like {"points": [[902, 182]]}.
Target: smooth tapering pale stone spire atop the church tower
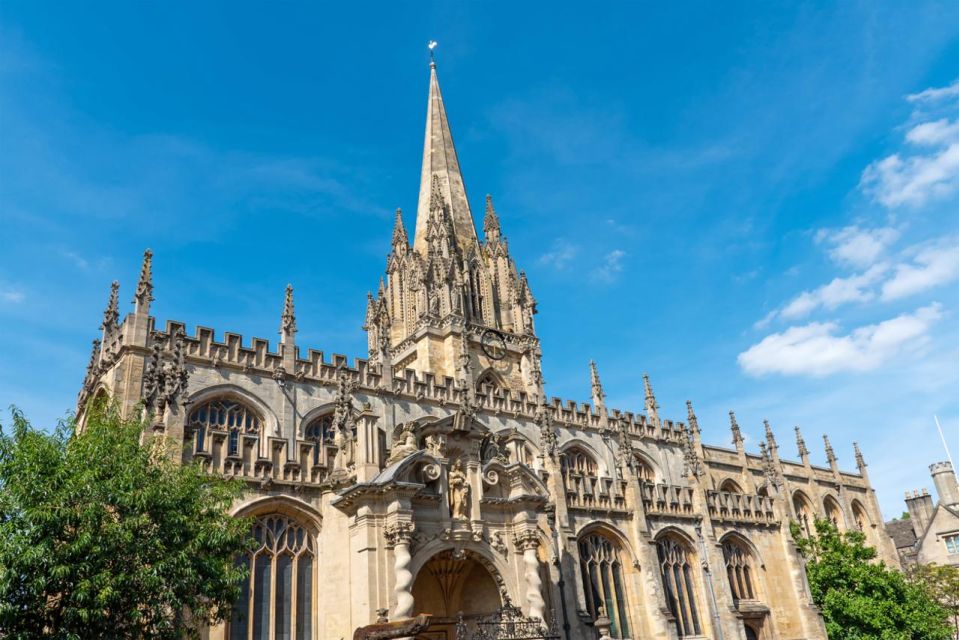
{"points": [[440, 161]]}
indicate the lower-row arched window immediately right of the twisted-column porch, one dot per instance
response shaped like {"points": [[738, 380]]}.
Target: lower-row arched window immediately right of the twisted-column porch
{"points": [[599, 559]]}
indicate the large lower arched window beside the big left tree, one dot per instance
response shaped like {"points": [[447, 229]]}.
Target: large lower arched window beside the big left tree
{"points": [[276, 598]]}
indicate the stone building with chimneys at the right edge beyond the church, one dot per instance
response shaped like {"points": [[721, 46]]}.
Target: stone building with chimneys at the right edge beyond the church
{"points": [[931, 532]]}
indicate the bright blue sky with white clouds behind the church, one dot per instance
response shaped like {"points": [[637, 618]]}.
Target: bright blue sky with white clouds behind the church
{"points": [[755, 203]]}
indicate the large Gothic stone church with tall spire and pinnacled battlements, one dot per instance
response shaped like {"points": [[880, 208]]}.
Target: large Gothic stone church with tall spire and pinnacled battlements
{"points": [[437, 477]]}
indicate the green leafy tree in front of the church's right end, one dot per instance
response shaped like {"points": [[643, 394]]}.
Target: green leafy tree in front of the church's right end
{"points": [[861, 598]]}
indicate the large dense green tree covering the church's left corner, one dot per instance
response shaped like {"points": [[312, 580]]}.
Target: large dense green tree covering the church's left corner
{"points": [[103, 537]]}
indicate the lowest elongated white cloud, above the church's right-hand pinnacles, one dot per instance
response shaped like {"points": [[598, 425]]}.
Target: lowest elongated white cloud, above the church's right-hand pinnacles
{"points": [[815, 349]]}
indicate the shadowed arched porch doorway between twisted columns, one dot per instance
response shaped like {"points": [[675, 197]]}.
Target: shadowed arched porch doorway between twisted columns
{"points": [[454, 582]]}
